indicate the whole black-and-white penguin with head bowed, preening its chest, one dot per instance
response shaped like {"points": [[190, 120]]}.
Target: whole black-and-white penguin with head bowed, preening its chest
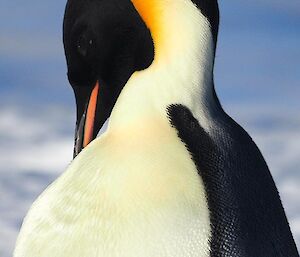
{"points": [[173, 175]]}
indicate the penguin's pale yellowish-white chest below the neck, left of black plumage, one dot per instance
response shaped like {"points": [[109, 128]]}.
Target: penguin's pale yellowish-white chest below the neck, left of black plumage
{"points": [[145, 201]]}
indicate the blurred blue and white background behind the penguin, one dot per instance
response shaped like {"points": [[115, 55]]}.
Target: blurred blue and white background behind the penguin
{"points": [[257, 79]]}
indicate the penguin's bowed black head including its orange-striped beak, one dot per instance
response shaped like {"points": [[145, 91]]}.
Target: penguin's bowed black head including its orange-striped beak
{"points": [[105, 42]]}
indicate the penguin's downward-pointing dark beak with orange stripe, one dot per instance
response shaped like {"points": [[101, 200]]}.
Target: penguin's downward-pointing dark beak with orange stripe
{"points": [[88, 124]]}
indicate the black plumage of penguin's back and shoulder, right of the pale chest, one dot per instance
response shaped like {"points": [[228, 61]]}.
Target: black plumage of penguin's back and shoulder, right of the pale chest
{"points": [[246, 213]]}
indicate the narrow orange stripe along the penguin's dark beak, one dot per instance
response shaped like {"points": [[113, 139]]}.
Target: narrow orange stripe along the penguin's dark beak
{"points": [[90, 116]]}
